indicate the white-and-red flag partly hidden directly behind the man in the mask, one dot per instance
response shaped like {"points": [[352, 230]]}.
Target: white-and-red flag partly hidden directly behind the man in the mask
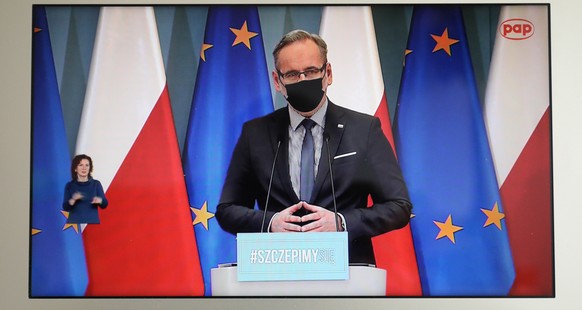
{"points": [[358, 85]]}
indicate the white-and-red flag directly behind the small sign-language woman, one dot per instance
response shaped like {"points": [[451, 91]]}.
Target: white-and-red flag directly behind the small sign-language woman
{"points": [[145, 244]]}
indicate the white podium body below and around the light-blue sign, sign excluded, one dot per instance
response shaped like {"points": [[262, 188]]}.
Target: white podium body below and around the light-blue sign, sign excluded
{"points": [[363, 281]]}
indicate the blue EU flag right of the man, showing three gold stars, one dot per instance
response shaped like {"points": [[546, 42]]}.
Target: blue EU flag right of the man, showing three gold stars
{"points": [[458, 228]]}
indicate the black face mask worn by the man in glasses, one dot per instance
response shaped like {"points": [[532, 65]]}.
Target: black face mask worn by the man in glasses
{"points": [[304, 96]]}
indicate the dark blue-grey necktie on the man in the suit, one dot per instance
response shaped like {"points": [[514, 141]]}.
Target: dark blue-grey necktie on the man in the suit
{"points": [[307, 162]]}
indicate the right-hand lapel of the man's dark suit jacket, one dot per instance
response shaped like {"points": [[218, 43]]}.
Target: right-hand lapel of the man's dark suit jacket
{"points": [[334, 123]]}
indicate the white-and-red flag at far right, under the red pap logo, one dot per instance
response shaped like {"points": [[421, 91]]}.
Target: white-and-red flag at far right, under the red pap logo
{"points": [[517, 116]]}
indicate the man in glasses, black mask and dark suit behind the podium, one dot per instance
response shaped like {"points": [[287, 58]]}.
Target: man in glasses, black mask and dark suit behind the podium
{"points": [[312, 165]]}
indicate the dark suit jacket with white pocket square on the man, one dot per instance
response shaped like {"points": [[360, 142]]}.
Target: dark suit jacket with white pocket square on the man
{"points": [[372, 170]]}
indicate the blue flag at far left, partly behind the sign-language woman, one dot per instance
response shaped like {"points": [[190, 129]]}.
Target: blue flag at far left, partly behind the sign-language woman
{"points": [[58, 266]]}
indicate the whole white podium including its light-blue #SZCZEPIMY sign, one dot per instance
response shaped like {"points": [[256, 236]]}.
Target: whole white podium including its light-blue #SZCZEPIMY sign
{"points": [[296, 264]]}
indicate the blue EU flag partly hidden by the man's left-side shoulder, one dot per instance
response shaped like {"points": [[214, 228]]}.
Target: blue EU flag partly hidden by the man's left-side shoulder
{"points": [[232, 87]]}
